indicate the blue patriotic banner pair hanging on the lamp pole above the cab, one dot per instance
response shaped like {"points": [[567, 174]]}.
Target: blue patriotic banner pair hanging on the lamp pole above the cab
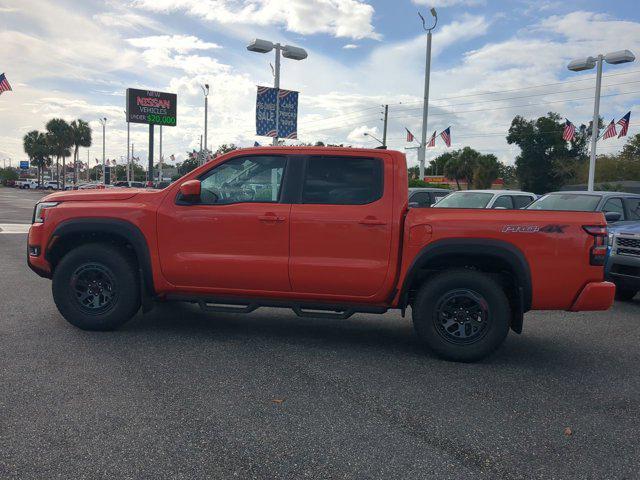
{"points": [[266, 113]]}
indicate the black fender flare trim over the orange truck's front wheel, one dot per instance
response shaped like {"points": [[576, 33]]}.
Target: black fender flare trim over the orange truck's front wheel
{"points": [[120, 228]]}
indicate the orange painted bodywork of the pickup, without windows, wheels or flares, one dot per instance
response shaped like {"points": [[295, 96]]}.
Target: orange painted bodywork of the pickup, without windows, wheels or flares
{"points": [[359, 254]]}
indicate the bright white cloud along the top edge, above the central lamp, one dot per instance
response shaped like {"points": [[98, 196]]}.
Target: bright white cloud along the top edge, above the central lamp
{"points": [[340, 18]]}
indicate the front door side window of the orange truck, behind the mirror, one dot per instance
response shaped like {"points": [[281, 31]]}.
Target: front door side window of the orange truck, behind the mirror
{"points": [[243, 179]]}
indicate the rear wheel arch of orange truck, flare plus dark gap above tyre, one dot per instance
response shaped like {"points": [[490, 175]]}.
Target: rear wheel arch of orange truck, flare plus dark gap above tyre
{"points": [[485, 255]]}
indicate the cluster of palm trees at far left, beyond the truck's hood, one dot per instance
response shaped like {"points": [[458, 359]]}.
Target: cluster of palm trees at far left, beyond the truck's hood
{"points": [[59, 141]]}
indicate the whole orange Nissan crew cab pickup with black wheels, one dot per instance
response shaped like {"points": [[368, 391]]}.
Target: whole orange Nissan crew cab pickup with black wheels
{"points": [[326, 232]]}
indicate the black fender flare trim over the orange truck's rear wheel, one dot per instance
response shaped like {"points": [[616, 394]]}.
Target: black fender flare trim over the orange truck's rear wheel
{"points": [[485, 247]]}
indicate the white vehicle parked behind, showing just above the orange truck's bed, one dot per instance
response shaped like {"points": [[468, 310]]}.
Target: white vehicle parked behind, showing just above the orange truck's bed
{"points": [[497, 199]]}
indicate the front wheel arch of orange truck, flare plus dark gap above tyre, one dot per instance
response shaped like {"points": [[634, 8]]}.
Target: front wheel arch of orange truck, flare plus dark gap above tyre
{"points": [[71, 233]]}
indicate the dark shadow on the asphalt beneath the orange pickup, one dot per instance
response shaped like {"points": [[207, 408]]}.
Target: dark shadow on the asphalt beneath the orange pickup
{"points": [[361, 334]]}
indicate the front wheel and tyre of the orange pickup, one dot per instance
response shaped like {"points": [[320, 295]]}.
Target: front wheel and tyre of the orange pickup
{"points": [[95, 287]]}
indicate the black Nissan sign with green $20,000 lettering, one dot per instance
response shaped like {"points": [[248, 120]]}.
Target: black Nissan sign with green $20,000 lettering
{"points": [[152, 108]]}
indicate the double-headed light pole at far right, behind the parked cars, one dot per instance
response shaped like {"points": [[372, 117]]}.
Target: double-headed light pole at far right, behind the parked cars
{"points": [[581, 64]]}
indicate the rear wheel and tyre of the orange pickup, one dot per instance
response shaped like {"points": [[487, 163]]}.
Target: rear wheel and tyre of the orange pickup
{"points": [[461, 315]]}
